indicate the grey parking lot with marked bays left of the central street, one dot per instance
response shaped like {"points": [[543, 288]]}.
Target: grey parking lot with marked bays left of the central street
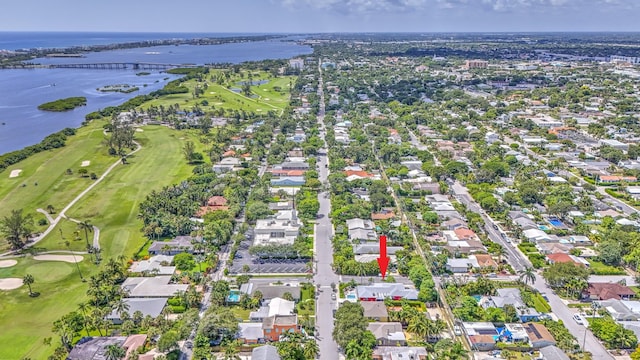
{"points": [[265, 266]]}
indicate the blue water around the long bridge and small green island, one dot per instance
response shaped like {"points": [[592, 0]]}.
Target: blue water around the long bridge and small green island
{"points": [[21, 91]]}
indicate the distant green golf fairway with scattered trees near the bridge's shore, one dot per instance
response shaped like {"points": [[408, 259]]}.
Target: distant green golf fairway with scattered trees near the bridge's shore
{"points": [[272, 96]]}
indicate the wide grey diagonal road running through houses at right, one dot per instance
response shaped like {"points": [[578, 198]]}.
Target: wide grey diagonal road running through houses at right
{"points": [[518, 261]]}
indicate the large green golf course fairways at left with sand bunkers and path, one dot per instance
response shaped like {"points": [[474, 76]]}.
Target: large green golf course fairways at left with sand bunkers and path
{"points": [[112, 206]]}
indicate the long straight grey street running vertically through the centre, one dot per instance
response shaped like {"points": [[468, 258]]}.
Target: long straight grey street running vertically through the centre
{"points": [[324, 275]]}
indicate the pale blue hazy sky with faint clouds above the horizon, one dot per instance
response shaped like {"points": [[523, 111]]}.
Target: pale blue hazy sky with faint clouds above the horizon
{"points": [[305, 16]]}
